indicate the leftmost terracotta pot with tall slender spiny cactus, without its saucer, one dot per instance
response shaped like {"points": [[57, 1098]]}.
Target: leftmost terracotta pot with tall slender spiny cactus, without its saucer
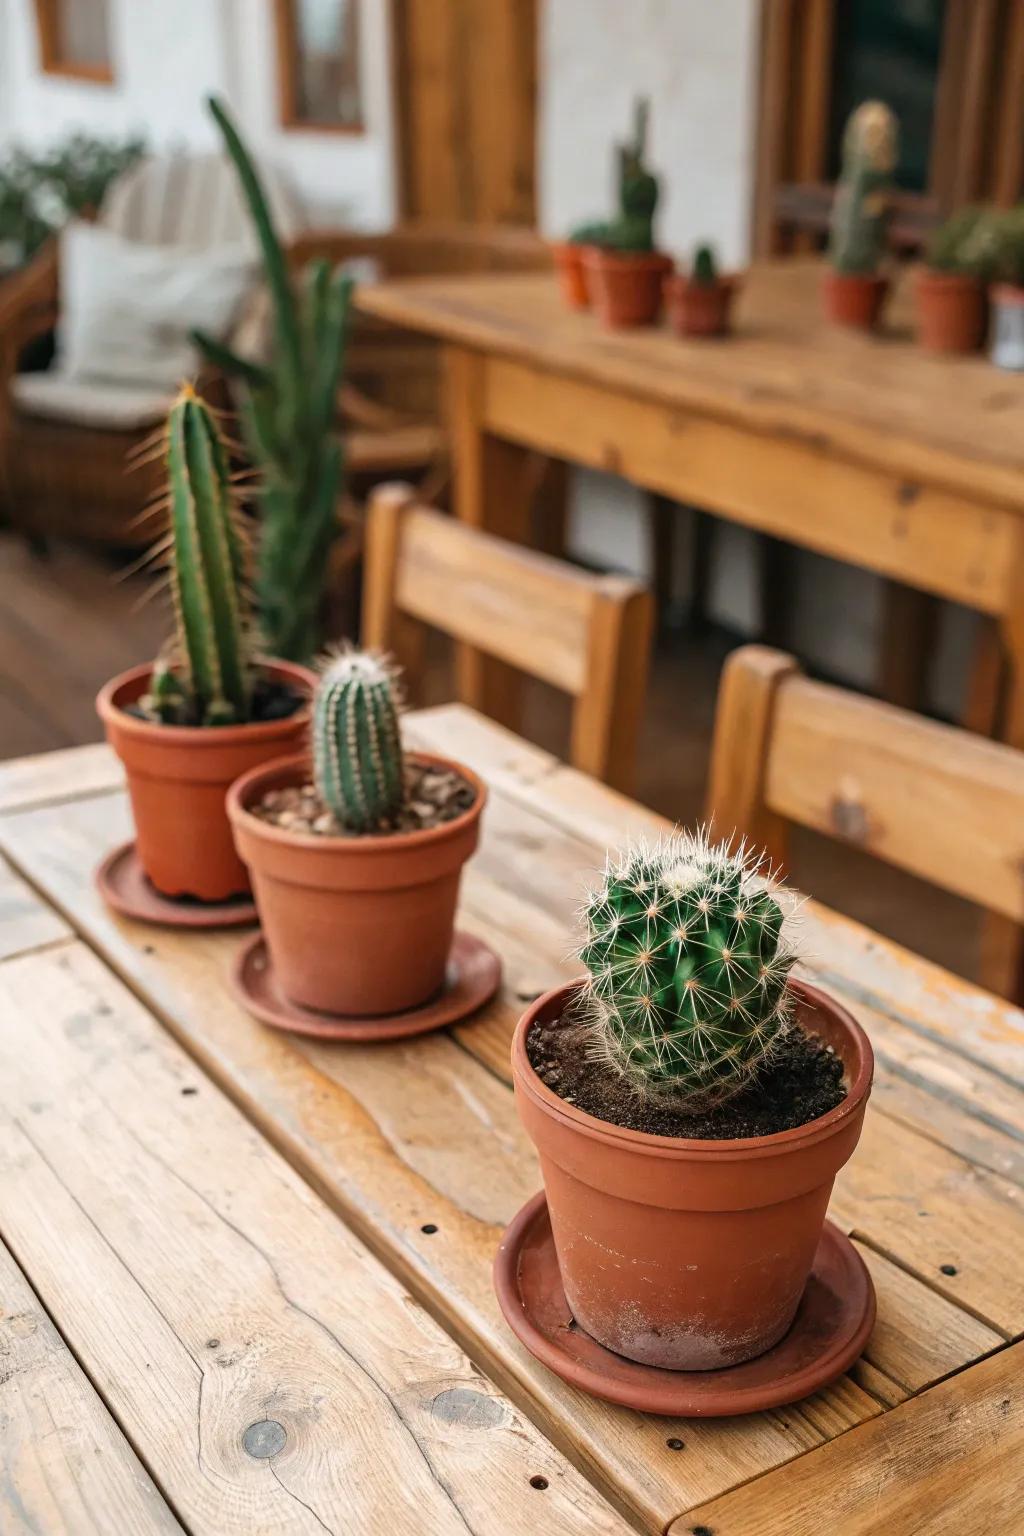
{"points": [[210, 707]]}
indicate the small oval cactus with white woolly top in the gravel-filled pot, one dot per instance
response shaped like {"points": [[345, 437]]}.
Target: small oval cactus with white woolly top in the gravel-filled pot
{"points": [[357, 747]]}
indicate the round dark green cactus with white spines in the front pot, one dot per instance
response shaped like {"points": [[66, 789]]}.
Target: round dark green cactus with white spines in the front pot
{"points": [[687, 993]]}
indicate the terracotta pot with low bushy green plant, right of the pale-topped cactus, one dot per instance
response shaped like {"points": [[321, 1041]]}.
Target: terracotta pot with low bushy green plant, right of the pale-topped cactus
{"points": [[951, 286]]}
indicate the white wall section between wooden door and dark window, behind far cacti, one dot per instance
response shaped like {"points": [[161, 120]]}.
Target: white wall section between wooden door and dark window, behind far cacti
{"points": [[695, 61]]}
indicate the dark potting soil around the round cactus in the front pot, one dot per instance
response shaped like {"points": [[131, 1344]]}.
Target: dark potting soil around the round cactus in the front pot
{"points": [[802, 1082]]}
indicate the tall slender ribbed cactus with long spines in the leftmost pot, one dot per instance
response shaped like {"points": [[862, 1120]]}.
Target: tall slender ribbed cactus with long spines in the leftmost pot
{"points": [[210, 680]]}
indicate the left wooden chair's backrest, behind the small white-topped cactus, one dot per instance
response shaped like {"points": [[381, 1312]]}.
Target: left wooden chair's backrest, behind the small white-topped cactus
{"points": [[590, 637]]}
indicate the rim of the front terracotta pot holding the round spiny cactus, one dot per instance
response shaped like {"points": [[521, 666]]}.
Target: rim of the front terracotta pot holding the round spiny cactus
{"points": [[693, 1148]]}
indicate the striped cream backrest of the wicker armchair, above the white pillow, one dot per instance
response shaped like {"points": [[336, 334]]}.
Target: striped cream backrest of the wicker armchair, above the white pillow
{"points": [[191, 200]]}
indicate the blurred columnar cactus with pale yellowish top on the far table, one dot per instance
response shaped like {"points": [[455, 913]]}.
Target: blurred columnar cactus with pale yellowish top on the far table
{"points": [[864, 194]]}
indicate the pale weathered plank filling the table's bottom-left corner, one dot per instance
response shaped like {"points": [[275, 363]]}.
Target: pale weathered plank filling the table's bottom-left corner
{"points": [[65, 1468]]}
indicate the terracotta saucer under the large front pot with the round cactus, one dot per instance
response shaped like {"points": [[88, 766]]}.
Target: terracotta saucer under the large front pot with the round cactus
{"points": [[831, 1328]]}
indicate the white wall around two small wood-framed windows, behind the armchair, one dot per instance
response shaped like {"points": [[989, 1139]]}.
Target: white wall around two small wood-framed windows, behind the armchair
{"points": [[170, 58]]}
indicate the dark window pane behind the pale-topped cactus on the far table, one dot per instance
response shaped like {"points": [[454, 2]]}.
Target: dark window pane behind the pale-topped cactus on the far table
{"points": [[890, 50]]}
